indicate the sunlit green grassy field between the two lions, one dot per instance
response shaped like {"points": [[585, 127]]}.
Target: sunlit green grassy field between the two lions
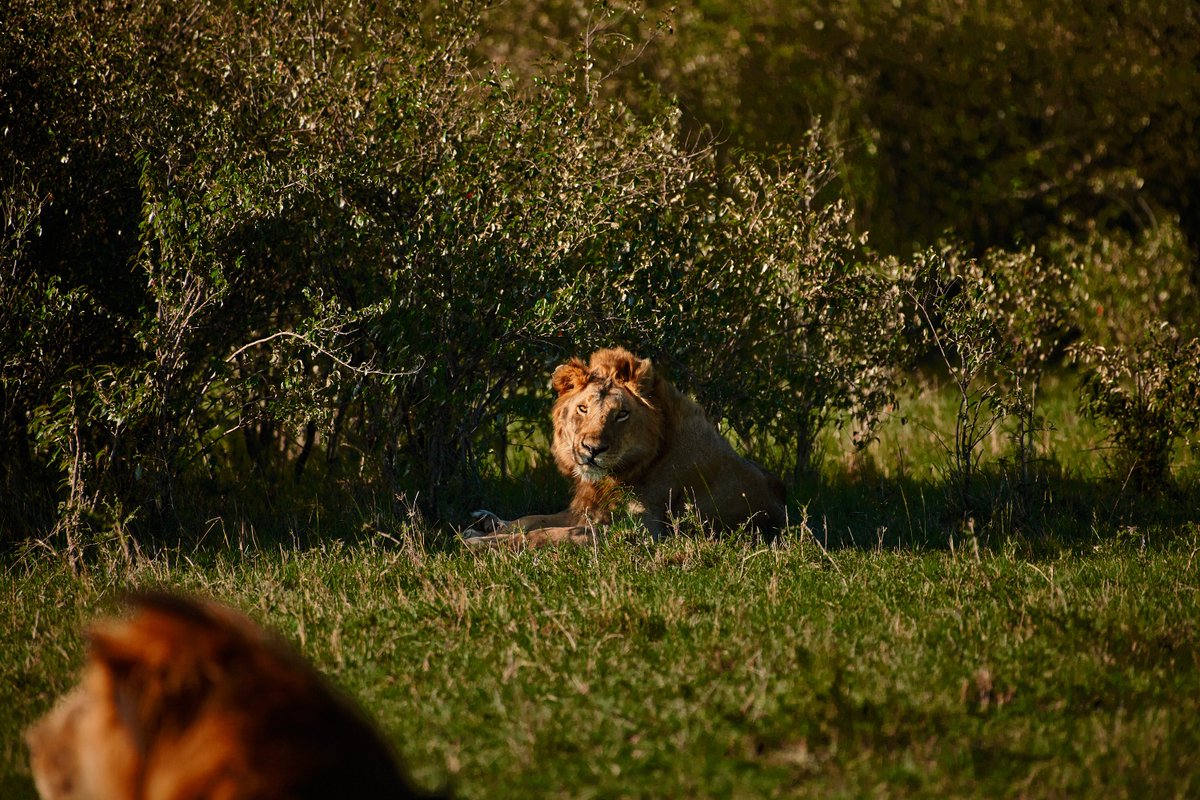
{"points": [[865, 655]]}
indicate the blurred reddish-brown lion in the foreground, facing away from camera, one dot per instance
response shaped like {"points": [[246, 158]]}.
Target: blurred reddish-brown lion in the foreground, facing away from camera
{"points": [[190, 700]]}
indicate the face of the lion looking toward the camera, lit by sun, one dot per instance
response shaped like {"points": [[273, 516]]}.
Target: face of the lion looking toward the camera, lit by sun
{"points": [[605, 423]]}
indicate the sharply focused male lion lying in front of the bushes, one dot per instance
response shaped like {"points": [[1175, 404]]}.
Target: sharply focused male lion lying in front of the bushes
{"points": [[629, 440]]}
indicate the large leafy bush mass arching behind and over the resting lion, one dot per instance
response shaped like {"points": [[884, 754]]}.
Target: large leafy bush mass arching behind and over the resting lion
{"points": [[284, 234]]}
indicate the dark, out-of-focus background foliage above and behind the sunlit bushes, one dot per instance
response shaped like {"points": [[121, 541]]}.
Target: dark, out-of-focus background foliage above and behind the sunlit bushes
{"points": [[1001, 123]]}
